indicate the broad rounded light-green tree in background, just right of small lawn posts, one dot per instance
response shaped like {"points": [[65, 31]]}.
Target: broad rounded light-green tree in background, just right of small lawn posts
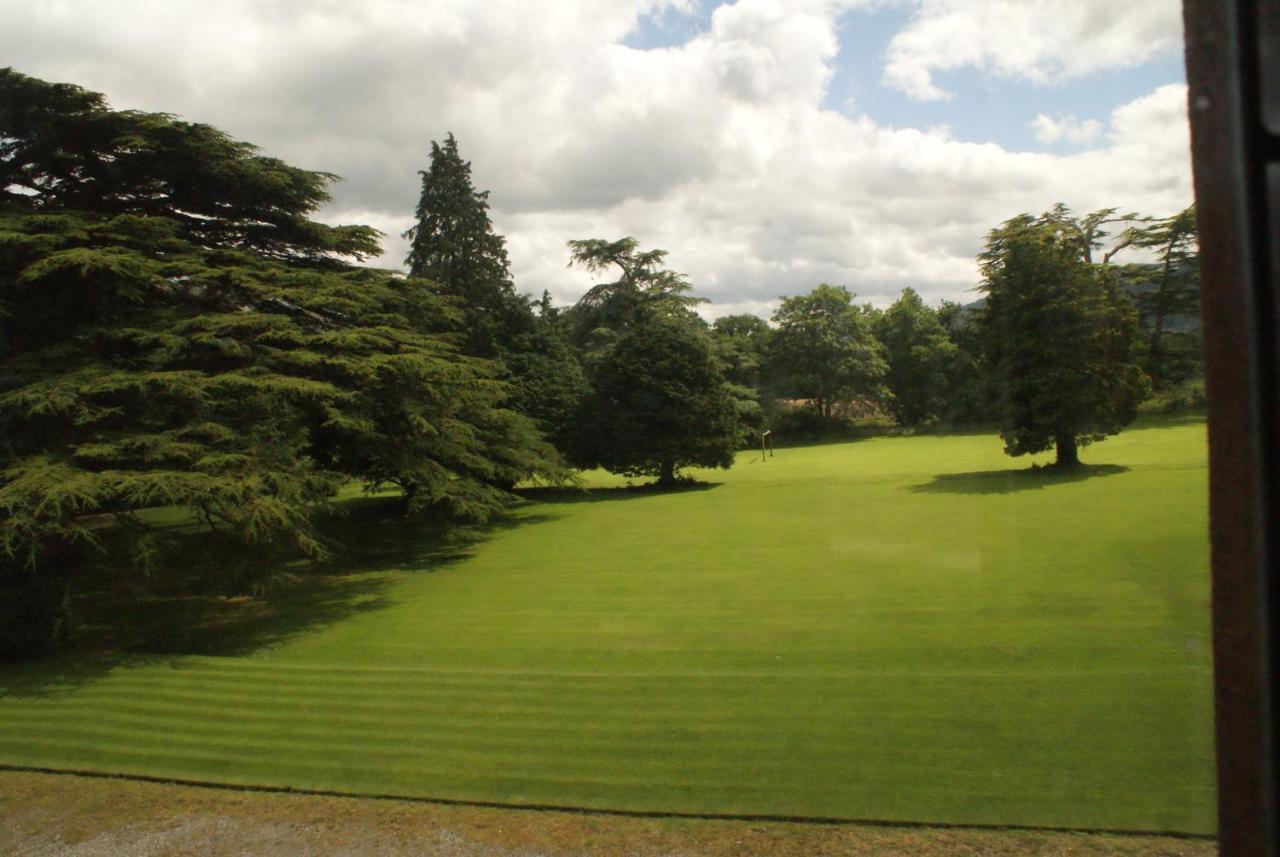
{"points": [[824, 350]]}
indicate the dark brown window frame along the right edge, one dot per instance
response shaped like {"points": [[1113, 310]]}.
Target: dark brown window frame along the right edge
{"points": [[1233, 71]]}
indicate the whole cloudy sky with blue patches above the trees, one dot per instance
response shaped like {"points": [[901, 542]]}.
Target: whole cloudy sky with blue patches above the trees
{"points": [[766, 145]]}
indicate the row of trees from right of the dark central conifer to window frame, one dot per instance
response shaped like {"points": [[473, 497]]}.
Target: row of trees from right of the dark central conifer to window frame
{"points": [[1064, 340]]}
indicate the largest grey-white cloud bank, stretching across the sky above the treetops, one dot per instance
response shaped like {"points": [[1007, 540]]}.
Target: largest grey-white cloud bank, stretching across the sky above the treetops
{"points": [[717, 150]]}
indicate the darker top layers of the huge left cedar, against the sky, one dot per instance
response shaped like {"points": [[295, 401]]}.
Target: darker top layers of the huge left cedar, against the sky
{"points": [[62, 149]]}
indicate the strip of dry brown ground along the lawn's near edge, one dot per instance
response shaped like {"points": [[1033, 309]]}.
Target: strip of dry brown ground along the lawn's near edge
{"points": [[65, 814]]}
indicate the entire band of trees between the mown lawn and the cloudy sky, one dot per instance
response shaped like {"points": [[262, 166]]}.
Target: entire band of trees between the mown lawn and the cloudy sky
{"points": [[179, 332]]}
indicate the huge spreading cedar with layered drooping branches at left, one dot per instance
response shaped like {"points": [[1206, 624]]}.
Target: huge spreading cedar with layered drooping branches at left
{"points": [[179, 332]]}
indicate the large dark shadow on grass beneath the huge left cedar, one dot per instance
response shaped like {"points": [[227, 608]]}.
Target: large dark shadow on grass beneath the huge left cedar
{"points": [[122, 621]]}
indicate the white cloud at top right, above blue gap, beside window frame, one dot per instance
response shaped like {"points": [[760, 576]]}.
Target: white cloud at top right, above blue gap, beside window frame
{"points": [[1041, 42]]}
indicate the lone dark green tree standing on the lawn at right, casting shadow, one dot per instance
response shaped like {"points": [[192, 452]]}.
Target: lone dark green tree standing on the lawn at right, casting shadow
{"points": [[1060, 338]]}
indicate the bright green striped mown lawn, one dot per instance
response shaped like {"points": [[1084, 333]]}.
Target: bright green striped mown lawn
{"points": [[894, 630]]}
